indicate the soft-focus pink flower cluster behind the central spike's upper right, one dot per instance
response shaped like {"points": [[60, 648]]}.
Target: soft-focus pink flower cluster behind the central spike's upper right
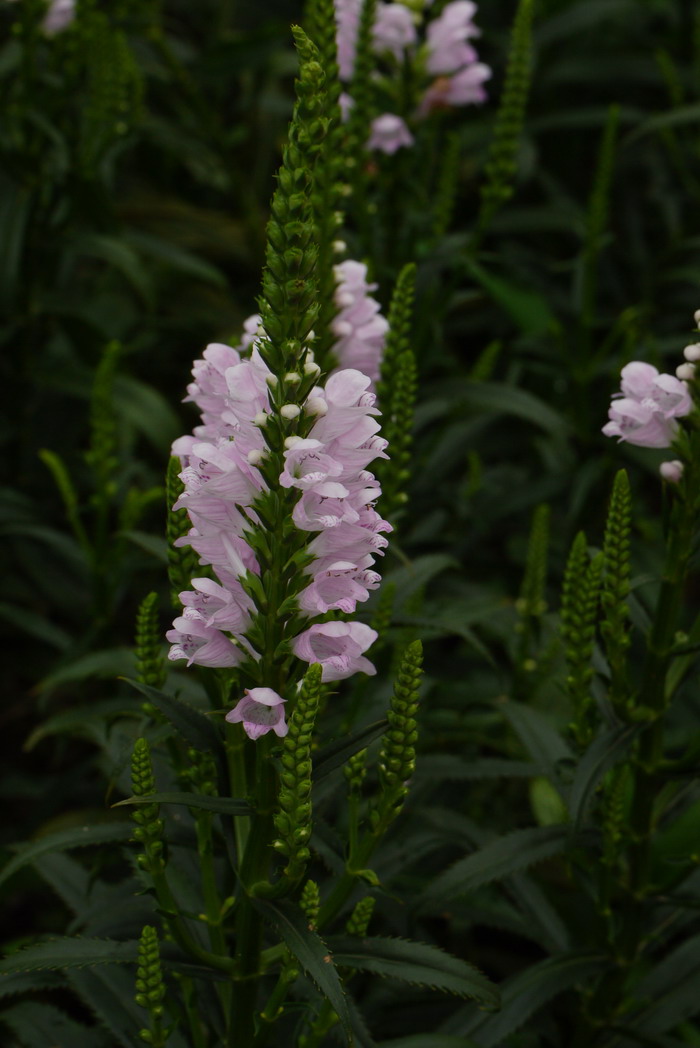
{"points": [[360, 329]]}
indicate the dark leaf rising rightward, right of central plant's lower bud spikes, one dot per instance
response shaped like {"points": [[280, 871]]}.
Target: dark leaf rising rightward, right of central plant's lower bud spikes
{"points": [[510, 855]]}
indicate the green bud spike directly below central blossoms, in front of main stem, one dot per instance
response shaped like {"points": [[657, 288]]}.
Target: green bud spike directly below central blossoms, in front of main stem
{"points": [[293, 821]]}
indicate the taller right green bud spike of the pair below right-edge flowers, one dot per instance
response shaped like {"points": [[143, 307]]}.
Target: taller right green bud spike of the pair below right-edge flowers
{"points": [[615, 626]]}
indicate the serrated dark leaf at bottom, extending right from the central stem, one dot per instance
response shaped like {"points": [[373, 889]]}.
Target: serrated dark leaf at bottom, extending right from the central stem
{"points": [[414, 963]]}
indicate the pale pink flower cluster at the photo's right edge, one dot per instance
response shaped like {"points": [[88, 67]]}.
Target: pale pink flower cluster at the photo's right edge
{"points": [[645, 412]]}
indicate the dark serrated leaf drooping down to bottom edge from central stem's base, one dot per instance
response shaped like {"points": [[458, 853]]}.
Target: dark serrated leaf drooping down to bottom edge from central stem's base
{"points": [[312, 953]]}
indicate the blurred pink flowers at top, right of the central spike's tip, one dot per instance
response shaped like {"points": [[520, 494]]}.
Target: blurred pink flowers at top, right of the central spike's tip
{"points": [[448, 57]]}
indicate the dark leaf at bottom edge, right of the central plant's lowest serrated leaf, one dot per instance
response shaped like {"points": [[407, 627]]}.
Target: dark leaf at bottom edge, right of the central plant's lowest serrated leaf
{"points": [[530, 991]]}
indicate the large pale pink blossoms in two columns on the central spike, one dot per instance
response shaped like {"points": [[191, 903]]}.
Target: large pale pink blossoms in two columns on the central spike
{"points": [[336, 507]]}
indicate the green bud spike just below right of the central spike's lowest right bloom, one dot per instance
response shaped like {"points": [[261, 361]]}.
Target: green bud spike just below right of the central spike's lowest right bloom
{"points": [[398, 755]]}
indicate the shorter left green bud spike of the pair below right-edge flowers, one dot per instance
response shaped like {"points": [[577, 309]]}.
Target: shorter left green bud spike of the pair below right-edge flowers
{"points": [[580, 605]]}
